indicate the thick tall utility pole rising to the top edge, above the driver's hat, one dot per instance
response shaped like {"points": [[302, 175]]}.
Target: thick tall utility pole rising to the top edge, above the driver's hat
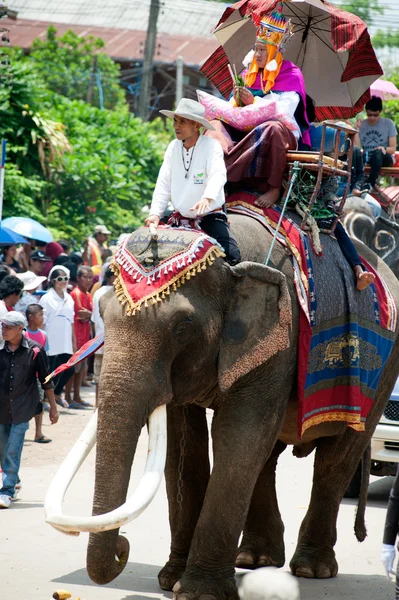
{"points": [[146, 78]]}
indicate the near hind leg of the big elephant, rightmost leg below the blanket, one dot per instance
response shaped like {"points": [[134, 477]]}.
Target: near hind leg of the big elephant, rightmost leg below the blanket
{"points": [[335, 463]]}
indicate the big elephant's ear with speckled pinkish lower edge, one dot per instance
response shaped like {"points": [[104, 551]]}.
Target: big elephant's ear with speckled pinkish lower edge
{"points": [[257, 323]]}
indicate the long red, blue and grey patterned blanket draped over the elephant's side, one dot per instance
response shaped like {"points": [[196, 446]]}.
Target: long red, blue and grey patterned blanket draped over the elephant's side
{"points": [[345, 336]]}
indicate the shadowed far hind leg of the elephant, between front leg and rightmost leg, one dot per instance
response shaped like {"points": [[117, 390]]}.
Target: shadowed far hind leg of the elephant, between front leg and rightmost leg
{"points": [[262, 544]]}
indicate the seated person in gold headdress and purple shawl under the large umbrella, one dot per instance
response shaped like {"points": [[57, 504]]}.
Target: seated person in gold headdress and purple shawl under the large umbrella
{"points": [[257, 160]]}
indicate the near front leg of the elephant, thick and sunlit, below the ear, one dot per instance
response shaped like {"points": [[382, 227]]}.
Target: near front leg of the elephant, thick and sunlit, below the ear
{"points": [[244, 435]]}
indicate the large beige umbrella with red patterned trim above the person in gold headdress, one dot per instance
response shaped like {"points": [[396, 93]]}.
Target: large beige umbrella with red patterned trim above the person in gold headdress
{"points": [[331, 46]]}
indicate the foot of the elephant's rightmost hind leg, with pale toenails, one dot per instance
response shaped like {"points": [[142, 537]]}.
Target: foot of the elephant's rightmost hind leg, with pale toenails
{"points": [[314, 563]]}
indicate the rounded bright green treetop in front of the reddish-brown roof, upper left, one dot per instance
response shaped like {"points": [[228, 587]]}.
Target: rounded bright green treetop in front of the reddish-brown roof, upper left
{"points": [[71, 65]]}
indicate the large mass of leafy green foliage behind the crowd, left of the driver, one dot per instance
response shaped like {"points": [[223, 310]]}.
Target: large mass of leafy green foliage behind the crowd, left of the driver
{"points": [[71, 165]]}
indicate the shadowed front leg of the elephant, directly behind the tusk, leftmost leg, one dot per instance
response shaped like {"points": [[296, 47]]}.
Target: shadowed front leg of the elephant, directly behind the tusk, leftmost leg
{"points": [[187, 475]]}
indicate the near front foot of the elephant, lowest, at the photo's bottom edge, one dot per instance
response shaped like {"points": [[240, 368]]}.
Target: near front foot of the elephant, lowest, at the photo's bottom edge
{"points": [[205, 588]]}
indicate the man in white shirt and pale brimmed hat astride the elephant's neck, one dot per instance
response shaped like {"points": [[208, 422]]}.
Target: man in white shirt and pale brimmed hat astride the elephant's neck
{"points": [[192, 177]]}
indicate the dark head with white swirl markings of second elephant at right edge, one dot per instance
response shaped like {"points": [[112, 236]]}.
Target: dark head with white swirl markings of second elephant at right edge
{"points": [[381, 234]]}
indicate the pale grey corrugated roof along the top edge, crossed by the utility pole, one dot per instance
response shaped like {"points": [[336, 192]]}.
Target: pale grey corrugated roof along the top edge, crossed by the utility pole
{"points": [[177, 17]]}
